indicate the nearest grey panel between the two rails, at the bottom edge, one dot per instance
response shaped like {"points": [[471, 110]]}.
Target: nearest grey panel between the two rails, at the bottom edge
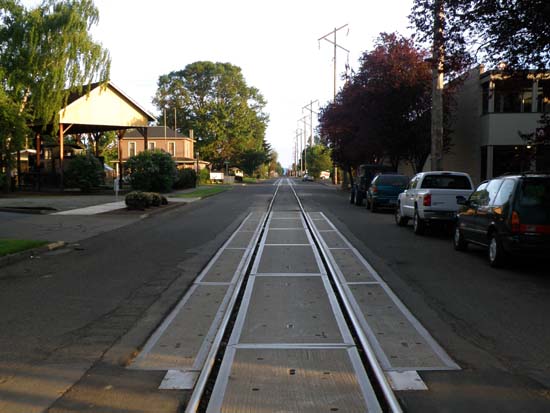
{"points": [[292, 380]]}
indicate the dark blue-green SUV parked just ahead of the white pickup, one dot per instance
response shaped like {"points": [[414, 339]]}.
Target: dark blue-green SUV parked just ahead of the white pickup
{"points": [[384, 189]]}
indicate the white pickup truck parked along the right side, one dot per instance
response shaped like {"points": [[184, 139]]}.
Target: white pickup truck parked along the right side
{"points": [[432, 197]]}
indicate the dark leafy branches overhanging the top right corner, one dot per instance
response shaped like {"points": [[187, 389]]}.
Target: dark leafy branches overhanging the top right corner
{"points": [[511, 31]]}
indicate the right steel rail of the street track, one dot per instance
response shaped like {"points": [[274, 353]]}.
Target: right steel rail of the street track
{"points": [[367, 348]]}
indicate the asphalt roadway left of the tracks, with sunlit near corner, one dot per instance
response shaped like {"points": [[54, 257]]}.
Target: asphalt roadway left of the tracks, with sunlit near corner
{"points": [[78, 314]]}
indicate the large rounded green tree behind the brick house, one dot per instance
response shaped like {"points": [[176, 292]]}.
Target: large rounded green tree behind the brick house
{"points": [[214, 100]]}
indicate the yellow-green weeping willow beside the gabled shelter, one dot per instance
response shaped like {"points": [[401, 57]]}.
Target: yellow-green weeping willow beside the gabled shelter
{"points": [[46, 53]]}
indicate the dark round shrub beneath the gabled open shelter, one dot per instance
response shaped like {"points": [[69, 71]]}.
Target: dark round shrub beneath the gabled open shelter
{"points": [[85, 172]]}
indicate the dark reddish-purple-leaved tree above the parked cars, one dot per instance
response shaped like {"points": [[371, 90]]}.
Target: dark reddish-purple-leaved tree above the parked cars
{"points": [[383, 112]]}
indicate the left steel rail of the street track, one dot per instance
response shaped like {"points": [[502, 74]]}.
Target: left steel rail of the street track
{"points": [[195, 399]]}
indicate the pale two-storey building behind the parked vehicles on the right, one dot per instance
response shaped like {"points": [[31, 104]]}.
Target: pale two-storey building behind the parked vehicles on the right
{"points": [[492, 110]]}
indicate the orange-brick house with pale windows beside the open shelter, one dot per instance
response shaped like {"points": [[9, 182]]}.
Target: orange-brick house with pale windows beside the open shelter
{"points": [[181, 147]]}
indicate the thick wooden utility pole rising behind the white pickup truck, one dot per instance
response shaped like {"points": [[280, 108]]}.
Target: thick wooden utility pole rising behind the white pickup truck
{"points": [[438, 58]]}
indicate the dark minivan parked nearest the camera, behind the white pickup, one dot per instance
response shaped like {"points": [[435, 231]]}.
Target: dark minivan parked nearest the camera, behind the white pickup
{"points": [[509, 214]]}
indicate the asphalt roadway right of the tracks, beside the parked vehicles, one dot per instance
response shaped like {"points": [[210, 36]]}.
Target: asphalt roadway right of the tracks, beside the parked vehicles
{"points": [[492, 322]]}
